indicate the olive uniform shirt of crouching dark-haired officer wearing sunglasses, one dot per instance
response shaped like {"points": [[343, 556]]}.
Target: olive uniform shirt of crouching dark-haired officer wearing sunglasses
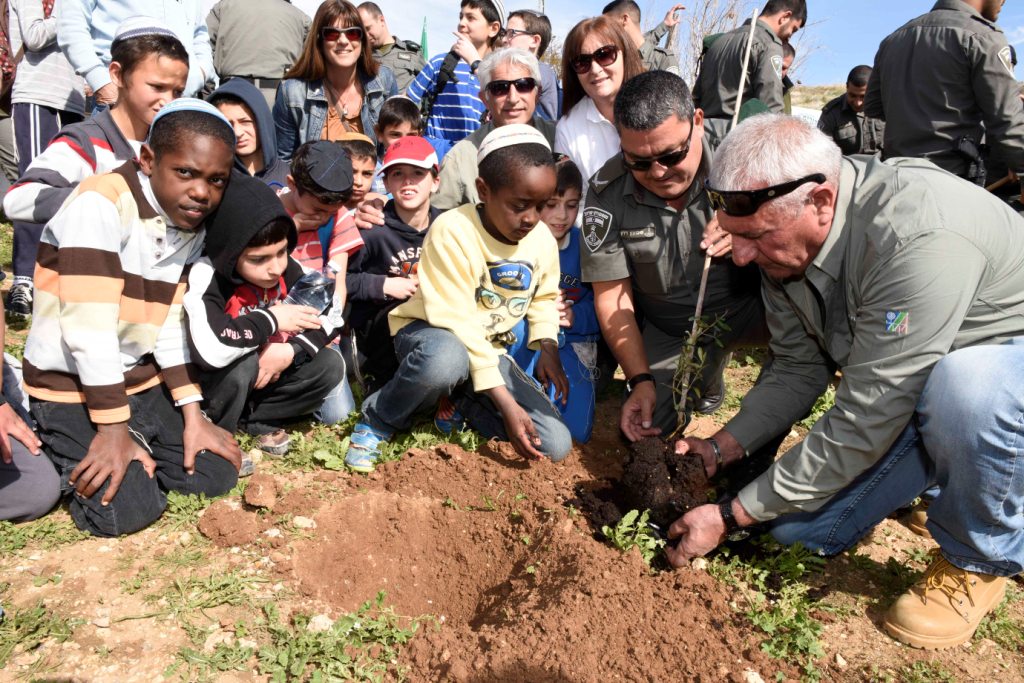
{"points": [[629, 233]]}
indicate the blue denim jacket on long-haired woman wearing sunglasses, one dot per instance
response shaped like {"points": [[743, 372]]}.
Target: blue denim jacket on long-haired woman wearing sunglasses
{"points": [[301, 109]]}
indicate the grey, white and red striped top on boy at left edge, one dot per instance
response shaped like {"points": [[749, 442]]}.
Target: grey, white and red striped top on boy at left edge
{"points": [[81, 150]]}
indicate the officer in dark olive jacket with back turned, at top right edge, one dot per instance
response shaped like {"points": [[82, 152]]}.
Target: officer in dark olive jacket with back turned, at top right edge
{"points": [[946, 81]]}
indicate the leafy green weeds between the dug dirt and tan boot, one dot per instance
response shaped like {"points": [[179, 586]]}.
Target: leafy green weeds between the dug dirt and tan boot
{"points": [[775, 595]]}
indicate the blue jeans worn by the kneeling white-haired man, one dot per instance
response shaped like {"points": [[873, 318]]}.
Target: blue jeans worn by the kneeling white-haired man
{"points": [[967, 437]]}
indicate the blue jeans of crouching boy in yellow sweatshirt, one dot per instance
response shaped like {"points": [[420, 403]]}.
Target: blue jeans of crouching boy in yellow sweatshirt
{"points": [[436, 364]]}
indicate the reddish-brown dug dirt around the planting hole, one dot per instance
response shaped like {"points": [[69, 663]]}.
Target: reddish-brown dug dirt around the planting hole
{"points": [[521, 589]]}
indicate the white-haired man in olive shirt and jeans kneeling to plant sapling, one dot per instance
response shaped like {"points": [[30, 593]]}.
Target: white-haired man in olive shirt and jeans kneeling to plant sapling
{"points": [[911, 281]]}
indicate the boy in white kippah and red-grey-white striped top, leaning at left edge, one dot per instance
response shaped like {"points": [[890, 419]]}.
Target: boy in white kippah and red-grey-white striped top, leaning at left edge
{"points": [[150, 67]]}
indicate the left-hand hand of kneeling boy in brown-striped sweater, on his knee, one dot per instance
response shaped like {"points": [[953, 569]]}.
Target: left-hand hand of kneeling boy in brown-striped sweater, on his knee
{"points": [[112, 451]]}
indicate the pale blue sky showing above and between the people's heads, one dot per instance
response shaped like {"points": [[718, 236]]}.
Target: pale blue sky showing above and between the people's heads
{"points": [[843, 33]]}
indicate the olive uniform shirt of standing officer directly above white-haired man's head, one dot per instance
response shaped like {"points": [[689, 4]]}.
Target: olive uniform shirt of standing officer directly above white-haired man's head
{"points": [[718, 83]]}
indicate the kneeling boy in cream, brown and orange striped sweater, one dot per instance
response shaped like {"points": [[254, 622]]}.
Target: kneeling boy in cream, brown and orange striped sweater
{"points": [[106, 364]]}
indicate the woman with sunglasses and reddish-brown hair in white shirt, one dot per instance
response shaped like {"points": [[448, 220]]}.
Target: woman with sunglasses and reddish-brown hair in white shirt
{"points": [[598, 59]]}
